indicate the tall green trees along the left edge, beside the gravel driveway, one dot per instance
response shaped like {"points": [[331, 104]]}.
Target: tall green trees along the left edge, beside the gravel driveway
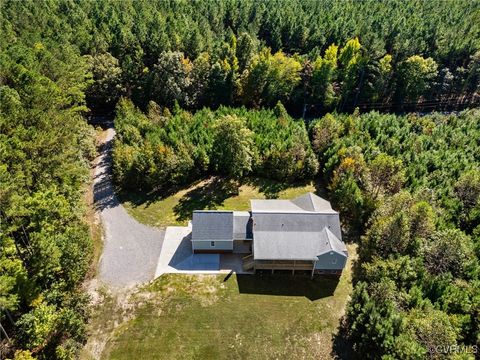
{"points": [[45, 245]]}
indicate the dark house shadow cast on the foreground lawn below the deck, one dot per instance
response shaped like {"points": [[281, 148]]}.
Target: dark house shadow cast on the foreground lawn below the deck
{"points": [[284, 284]]}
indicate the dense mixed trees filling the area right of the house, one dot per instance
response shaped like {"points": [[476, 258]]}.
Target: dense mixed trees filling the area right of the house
{"points": [[408, 191]]}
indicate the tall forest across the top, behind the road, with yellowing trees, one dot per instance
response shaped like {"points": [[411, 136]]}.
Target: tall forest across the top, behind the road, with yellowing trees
{"points": [[314, 57]]}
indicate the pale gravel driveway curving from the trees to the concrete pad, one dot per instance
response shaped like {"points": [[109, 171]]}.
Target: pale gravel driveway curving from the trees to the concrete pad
{"points": [[131, 250]]}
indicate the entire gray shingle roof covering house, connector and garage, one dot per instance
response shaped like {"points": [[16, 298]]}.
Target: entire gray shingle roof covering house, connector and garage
{"points": [[300, 229]]}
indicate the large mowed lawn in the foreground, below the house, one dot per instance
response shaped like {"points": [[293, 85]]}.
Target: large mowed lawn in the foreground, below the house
{"points": [[263, 316]]}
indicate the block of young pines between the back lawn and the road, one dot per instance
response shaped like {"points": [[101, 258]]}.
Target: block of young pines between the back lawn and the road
{"points": [[159, 150]]}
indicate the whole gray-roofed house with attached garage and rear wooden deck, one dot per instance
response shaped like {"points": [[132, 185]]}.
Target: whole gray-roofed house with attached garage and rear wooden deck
{"points": [[299, 234]]}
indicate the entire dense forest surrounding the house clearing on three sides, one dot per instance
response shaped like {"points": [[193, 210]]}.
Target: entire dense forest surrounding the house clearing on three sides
{"points": [[204, 87]]}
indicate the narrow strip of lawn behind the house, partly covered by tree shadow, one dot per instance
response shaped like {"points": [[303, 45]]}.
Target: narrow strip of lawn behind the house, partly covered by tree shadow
{"points": [[213, 193]]}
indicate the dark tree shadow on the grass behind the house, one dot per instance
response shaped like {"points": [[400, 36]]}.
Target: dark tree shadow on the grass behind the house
{"points": [[208, 196]]}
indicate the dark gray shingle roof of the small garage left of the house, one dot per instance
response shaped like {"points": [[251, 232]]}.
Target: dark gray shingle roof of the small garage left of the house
{"points": [[212, 225]]}
